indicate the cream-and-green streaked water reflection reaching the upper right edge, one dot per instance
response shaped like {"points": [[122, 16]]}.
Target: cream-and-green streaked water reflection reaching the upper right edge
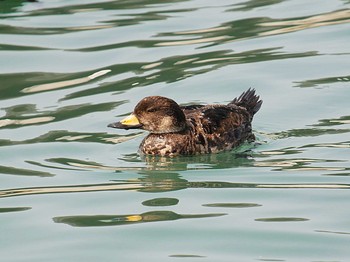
{"points": [[256, 27]]}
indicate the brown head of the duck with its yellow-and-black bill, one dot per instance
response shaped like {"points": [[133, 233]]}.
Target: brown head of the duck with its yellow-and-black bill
{"points": [[155, 114]]}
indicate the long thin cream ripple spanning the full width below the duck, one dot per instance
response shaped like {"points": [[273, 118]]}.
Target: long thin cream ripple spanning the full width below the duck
{"points": [[158, 183]]}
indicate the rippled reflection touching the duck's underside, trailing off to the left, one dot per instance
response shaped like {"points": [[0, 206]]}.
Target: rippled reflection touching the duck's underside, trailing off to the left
{"points": [[135, 162]]}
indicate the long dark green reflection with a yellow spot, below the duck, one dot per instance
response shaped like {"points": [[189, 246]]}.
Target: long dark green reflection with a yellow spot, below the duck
{"points": [[118, 220]]}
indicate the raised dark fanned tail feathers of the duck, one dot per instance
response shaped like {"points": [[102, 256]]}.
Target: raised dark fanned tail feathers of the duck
{"points": [[248, 100]]}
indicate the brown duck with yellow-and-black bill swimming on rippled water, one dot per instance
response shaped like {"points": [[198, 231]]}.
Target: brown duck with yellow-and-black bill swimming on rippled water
{"points": [[194, 129]]}
